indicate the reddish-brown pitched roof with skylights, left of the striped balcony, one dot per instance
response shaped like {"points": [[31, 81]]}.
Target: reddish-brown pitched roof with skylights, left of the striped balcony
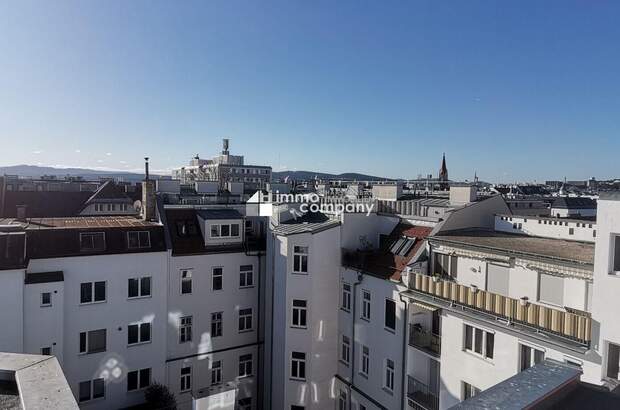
{"points": [[388, 262]]}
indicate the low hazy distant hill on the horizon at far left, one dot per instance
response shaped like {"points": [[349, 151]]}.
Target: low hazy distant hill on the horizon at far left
{"points": [[34, 171]]}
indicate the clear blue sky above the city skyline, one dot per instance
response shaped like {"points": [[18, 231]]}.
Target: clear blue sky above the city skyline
{"points": [[514, 90]]}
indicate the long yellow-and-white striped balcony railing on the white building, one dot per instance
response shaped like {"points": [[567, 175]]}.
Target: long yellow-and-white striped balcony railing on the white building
{"points": [[573, 326]]}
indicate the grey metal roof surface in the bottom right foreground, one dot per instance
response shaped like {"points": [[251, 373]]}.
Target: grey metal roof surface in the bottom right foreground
{"points": [[524, 389]]}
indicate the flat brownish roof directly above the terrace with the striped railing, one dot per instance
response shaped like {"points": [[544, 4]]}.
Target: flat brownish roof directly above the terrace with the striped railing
{"points": [[570, 251]]}
